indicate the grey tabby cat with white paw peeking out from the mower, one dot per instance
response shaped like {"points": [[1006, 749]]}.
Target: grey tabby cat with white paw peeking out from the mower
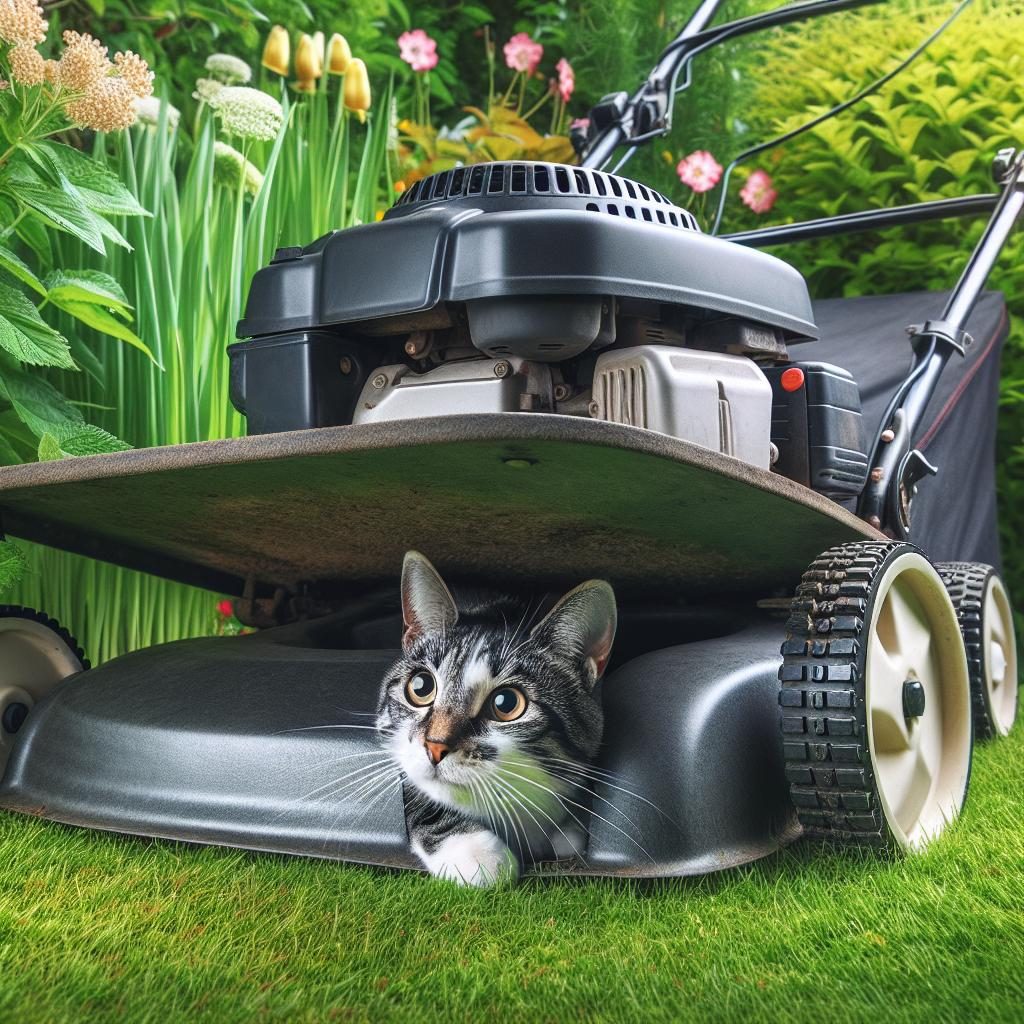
{"points": [[493, 720]]}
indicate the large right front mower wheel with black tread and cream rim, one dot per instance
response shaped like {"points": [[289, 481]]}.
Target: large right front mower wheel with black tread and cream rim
{"points": [[876, 699]]}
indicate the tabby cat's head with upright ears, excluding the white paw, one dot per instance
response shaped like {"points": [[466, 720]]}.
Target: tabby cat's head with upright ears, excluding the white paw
{"points": [[480, 716]]}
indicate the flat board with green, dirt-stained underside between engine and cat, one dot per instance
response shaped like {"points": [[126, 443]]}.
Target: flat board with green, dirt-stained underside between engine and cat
{"points": [[539, 500]]}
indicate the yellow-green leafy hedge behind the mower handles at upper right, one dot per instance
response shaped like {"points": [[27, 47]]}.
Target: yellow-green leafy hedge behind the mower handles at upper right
{"points": [[931, 134]]}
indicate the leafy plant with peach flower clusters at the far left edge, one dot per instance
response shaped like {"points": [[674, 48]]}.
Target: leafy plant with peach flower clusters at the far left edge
{"points": [[49, 189]]}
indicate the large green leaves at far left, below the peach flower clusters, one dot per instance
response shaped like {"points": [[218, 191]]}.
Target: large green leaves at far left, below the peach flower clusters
{"points": [[50, 190]]}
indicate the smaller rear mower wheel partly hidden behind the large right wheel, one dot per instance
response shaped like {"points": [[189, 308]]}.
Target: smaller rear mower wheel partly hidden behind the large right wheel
{"points": [[988, 623]]}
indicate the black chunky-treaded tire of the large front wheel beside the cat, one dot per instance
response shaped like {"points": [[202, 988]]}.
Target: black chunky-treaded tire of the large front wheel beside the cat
{"points": [[835, 785]]}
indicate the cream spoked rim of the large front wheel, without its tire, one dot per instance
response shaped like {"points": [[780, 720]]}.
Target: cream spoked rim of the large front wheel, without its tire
{"points": [[915, 650]]}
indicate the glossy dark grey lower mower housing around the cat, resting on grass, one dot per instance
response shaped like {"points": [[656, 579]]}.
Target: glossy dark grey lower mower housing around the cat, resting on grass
{"points": [[258, 742]]}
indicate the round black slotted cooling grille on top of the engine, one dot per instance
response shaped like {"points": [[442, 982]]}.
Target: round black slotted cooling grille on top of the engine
{"points": [[508, 183]]}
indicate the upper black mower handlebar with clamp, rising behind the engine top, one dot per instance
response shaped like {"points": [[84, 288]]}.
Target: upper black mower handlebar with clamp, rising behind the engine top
{"points": [[620, 118]]}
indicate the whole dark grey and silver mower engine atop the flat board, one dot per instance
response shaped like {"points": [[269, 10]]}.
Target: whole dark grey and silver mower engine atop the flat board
{"points": [[543, 288]]}
